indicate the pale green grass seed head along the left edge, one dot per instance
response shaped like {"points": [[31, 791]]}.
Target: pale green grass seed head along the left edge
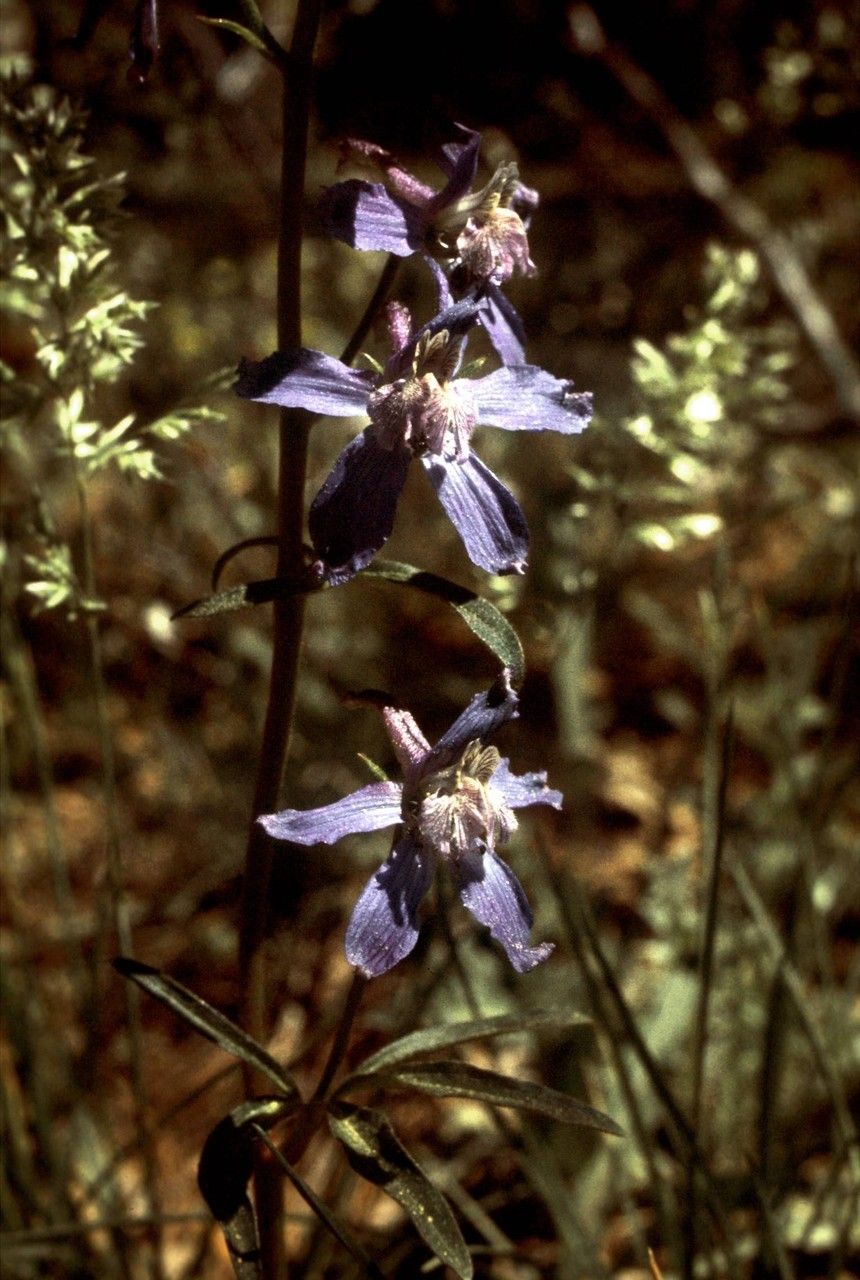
{"points": [[74, 331]]}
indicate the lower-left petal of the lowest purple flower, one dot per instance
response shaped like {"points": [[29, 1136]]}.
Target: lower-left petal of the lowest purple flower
{"points": [[383, 927]]}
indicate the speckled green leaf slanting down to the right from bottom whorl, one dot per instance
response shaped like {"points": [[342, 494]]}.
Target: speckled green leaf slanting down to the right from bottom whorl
{"points": [[376, 1154]]}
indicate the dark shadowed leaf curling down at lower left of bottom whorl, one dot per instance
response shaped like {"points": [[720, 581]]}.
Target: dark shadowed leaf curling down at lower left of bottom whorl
{"points": [[223, 1176]]}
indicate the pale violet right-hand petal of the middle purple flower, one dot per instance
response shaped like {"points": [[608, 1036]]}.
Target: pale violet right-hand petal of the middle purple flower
{"points": [[527, 399]]}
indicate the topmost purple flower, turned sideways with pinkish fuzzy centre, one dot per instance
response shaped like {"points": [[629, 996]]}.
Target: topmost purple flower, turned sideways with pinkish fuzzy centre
{"points": [[479, 236]]}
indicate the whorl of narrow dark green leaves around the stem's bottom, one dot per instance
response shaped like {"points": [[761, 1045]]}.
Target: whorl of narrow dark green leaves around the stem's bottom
{"points": [[372, 1146]]}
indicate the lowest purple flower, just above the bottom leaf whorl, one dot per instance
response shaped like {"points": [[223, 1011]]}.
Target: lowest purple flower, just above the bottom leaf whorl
{"points": [[456, 806]]}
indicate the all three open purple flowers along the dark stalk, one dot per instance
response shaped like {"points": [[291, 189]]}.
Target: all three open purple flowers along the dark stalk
{"points": [[458, 801]]}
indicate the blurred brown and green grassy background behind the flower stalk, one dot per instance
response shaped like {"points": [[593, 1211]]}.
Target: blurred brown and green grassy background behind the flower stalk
{"points": [[689, 620]]}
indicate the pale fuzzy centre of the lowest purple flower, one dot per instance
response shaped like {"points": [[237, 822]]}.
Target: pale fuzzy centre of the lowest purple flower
{"points": [[458, 808]]}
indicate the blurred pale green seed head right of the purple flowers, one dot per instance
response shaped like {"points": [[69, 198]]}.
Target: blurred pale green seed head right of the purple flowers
{"points": [[667, 476]]}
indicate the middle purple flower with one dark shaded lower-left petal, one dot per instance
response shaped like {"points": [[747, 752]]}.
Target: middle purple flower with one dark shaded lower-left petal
{"points": [[418, 409]]}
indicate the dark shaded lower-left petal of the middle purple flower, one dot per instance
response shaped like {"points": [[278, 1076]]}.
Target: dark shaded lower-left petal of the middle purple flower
{"points": [[354, 514]]}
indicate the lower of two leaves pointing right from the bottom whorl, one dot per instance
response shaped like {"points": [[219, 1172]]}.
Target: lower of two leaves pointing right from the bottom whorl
{"points": [[455, 1080]]}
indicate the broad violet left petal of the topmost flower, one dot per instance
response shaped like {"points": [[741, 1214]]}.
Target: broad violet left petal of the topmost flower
{"points": [[365, 216]]}
